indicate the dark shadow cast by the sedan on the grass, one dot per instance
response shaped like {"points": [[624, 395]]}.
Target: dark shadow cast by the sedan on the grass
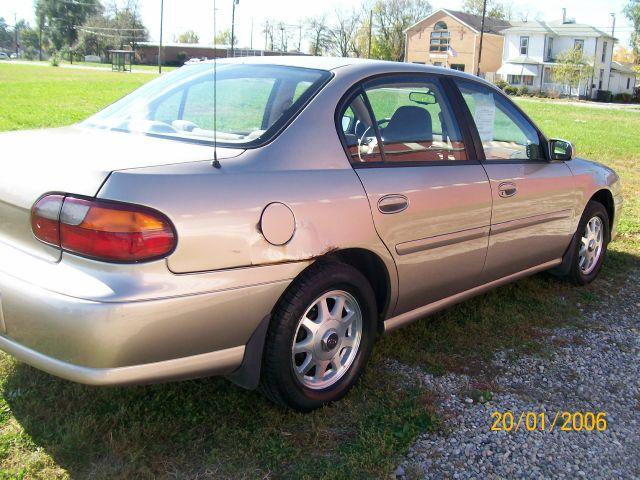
{"points": [[212, 428]]}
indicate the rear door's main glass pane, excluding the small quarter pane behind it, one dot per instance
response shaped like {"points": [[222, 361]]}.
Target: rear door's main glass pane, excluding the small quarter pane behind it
{"points": [[415, 121]]}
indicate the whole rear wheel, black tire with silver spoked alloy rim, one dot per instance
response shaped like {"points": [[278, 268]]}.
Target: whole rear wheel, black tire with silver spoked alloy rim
{"points": [[320, 337]]}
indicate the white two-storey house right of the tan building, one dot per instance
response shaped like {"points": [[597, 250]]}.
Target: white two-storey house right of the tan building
{"points": [[531, 49]]}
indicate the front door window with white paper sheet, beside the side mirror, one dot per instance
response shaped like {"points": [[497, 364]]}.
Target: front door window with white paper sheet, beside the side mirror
{"points": [[505, 133]]}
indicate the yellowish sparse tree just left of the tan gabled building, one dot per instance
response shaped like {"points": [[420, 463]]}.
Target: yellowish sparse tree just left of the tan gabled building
{"points": [[390, 19]]}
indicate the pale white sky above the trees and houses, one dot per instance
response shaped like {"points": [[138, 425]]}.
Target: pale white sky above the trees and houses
{"points": [[181, 15]]}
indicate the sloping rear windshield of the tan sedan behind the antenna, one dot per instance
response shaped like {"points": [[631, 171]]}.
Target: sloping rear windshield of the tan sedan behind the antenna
{"points": [[253, 103]]}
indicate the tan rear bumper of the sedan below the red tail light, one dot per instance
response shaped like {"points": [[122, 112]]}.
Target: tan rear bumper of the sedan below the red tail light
{"points": [[124, 324]]}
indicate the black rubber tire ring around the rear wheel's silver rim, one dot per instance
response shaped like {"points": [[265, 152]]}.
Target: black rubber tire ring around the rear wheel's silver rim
{"points": [[278, 380]]}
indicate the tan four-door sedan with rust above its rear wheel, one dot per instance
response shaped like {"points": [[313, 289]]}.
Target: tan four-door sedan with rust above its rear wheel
{"points": [[272, 231]]}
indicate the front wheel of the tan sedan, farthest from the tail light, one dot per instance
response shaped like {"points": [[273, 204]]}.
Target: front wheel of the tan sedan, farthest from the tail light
{"points": [[591, 245]]}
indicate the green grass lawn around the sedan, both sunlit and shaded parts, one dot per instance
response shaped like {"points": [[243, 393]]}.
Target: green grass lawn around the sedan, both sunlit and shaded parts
{"points": [[50, 428]]}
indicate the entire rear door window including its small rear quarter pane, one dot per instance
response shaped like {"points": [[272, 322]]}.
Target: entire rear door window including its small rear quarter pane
{"points": [[410, 117]]}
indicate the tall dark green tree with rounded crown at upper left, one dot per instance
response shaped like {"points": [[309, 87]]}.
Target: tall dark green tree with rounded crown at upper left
{"points": [[63, 18]]}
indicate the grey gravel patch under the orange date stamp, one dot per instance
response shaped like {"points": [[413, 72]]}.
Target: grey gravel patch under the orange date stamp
{"points": [[593, 366]]}
